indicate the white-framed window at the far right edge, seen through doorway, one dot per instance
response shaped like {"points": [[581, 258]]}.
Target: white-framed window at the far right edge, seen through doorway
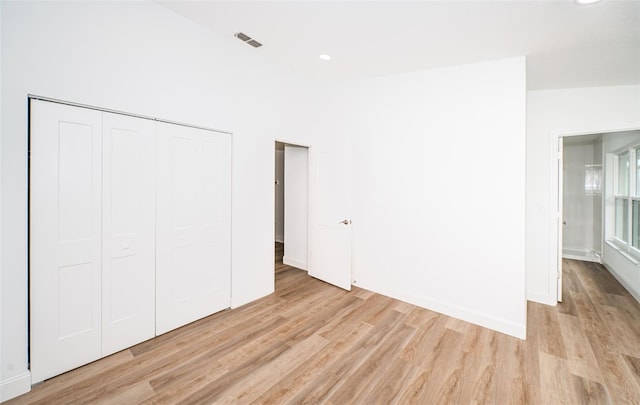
{"points": [[626, 232]]}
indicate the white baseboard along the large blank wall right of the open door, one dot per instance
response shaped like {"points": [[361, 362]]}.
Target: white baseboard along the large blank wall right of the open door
{"points": [[465, 314]]}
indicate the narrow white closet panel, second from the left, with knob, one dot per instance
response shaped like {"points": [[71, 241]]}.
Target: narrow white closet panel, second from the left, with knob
{"points": [[128, 232]]}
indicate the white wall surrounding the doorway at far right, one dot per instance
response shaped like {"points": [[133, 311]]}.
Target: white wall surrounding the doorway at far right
{"points": [[552, 113]]}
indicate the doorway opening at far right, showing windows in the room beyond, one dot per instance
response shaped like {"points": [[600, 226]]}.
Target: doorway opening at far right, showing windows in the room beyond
{"points": [[599, 203]]}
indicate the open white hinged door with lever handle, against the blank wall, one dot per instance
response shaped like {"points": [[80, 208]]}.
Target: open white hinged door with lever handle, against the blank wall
{"points": [[330, 255]]}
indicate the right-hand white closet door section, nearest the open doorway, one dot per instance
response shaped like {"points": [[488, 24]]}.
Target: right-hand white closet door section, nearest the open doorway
{"points": [[193, 246]]}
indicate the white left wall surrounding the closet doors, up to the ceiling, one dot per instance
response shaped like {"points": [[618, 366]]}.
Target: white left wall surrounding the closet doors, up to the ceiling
{"points": [[142, 58]]}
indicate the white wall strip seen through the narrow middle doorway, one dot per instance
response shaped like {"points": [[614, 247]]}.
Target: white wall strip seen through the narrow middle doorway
{"points": [[296, 217]]}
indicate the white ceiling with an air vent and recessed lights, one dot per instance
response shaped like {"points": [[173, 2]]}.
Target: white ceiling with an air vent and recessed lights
{"points": [[567, 45]]}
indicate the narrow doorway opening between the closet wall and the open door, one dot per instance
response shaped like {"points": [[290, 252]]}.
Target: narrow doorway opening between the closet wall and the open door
{"points": [[291, 215]]}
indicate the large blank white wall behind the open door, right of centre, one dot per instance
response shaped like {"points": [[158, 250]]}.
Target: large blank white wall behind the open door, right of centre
{"points": [[438, 188]]}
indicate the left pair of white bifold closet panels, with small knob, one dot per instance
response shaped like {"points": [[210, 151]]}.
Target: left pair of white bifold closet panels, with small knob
{"points": [[92, 235]]}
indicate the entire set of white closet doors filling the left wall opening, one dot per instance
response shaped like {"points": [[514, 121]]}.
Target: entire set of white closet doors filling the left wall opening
{"points": [[130, 232]]}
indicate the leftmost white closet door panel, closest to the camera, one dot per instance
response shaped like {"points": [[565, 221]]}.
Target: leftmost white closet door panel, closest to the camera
{"points": [[64, 238]]}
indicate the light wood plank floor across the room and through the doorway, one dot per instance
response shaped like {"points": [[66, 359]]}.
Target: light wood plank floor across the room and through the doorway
{"points": [[312, 343]]}
